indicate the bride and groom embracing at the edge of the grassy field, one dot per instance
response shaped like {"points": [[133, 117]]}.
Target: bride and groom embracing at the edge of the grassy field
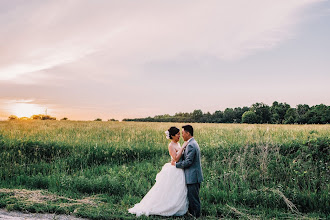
{"points": [[177, 185]]}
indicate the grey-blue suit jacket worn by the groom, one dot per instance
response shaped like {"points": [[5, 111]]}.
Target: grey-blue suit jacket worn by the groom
{"points": [[191, 163]]}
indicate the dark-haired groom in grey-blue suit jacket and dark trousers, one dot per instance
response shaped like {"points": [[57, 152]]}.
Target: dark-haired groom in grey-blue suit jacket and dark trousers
{"points": [[191, 163]]}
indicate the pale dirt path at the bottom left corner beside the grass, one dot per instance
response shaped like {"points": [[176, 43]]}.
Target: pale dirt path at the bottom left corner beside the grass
{"points": [[5, 215]]}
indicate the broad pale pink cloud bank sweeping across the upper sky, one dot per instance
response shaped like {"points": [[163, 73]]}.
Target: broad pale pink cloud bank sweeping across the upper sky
{"points": [[46, 34]]}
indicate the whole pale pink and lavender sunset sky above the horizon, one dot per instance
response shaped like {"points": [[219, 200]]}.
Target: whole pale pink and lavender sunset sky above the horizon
{"points": [[106, 59]]}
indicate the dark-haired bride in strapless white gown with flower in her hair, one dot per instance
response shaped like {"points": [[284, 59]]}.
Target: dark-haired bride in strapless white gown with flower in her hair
{"points": [[169, 194]]}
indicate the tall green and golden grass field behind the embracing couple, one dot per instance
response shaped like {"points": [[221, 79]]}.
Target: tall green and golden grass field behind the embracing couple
{"points": [[98, 170]]}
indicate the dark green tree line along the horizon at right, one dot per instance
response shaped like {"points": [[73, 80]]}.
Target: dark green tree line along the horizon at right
{"points": [[258, 113]]}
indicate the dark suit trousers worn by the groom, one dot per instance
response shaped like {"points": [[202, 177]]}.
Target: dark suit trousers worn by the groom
{"points": [[193, 198]]}
